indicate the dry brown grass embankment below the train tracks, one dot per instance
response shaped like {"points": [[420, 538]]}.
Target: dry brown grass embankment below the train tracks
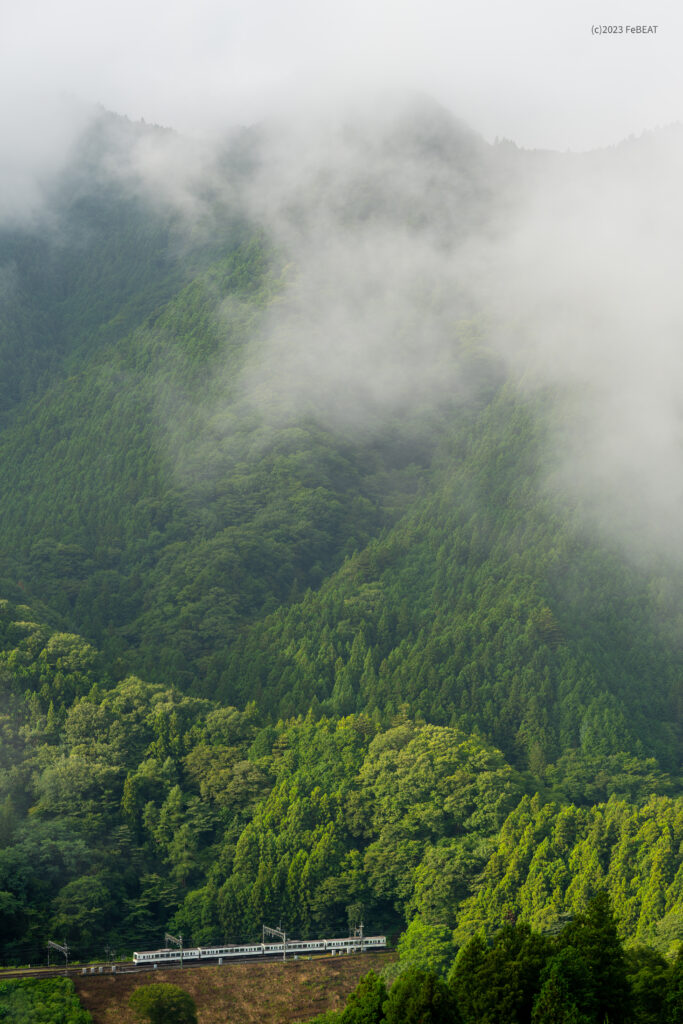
{"points": [[239, 994]]}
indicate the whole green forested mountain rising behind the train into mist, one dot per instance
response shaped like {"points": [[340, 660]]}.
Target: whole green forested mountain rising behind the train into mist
{"points": [[296, 624]]}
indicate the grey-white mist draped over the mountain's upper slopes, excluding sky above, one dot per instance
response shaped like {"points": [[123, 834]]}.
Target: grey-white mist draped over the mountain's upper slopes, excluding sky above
{"points": [[398, 226]]}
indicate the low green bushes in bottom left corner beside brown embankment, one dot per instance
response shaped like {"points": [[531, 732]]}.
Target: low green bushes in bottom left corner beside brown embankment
{"points": [[35, 1002]]}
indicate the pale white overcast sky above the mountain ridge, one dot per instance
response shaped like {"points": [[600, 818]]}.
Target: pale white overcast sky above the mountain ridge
{"points": [[530, 71]]}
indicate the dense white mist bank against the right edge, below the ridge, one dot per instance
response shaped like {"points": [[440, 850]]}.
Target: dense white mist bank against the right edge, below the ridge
{"points": [[582, 286]]}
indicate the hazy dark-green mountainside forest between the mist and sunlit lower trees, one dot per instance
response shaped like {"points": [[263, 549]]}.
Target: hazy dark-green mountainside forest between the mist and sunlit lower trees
{"points": [[157, 509]]}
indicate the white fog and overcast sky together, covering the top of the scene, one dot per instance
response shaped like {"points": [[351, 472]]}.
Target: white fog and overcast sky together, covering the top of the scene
{"points": [[399, 224]]}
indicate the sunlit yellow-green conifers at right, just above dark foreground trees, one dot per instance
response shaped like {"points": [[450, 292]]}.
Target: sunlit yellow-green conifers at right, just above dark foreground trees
{"points": [[550, 861]]}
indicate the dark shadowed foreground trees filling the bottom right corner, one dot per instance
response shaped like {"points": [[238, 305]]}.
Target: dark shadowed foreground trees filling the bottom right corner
{"points": [[580, 975]]}
